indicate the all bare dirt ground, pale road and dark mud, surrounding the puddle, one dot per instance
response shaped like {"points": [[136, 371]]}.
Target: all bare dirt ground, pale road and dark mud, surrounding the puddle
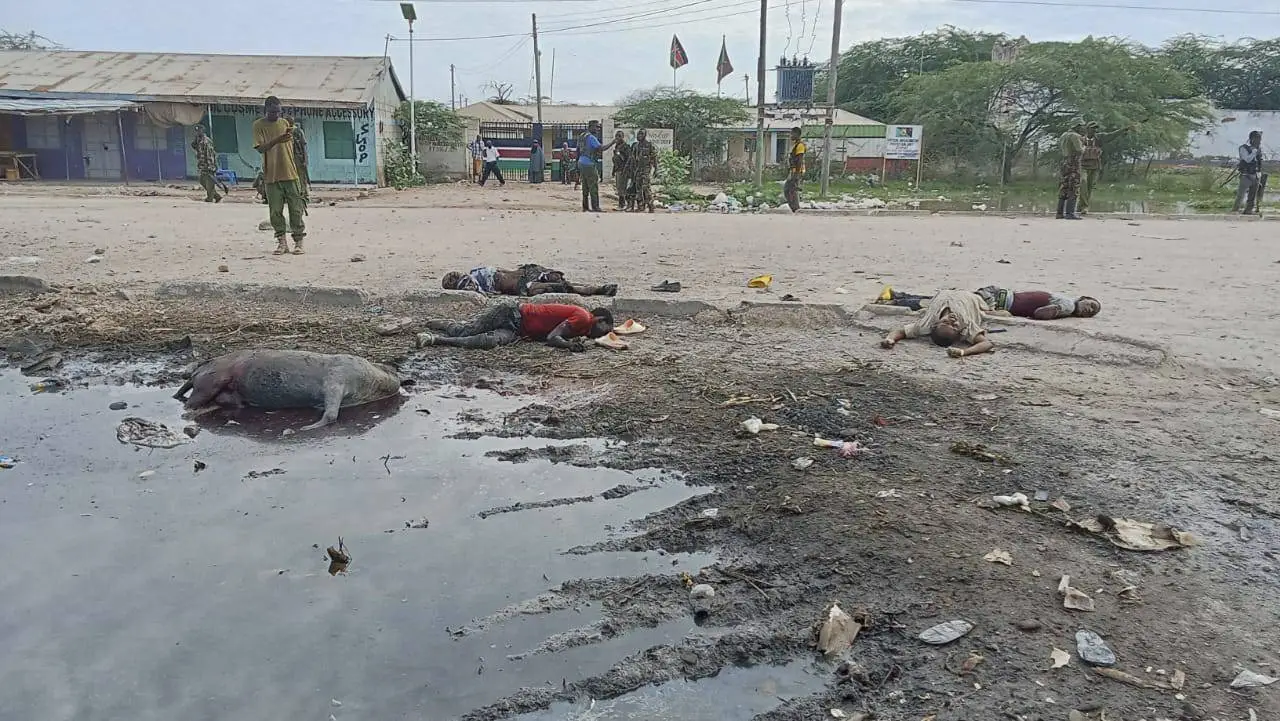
{"points": [[898, 533]]}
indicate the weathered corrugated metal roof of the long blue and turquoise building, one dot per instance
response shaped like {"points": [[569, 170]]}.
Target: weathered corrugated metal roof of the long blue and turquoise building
{"points": [[342, 83]]}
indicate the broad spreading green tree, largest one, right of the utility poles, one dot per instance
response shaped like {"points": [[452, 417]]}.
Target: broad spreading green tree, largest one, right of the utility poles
{"points": [[989, 111]]}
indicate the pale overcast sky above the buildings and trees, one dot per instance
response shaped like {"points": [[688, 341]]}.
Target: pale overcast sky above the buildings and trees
{"points": [[624, 49]]}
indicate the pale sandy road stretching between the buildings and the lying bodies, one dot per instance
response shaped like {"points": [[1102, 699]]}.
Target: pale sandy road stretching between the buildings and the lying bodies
{"points": [[1197, 288]]}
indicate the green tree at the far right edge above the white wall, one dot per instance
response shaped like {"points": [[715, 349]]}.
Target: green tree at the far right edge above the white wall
{"points": [[1242, 76]]}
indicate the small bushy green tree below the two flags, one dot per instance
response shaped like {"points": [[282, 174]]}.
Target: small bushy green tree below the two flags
{"points": [[696, 118]]}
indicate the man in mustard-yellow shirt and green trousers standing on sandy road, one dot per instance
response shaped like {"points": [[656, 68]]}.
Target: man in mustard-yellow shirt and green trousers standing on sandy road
{"points": [[273, 138]]}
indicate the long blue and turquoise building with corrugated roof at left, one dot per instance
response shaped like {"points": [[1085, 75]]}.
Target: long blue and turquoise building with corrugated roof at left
{"points": [[131, 116]]}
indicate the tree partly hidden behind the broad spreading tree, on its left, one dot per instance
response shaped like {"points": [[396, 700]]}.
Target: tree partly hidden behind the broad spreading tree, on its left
{"points": [[872, 72]]}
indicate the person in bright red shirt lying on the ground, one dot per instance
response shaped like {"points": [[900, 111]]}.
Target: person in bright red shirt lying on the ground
{"points": [[559, 326]]}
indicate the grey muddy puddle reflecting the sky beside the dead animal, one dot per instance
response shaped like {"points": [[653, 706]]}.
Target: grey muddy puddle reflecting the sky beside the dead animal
{"points": [[141, 588]]}
